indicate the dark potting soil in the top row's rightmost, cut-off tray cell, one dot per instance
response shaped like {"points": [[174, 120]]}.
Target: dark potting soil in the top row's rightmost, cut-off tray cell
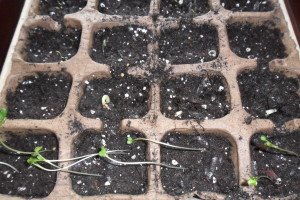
{"points": [[247, 5]]}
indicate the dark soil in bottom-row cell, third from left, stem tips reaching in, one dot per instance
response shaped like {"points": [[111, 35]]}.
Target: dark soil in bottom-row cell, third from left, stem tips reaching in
{"points": [[211, 170]]}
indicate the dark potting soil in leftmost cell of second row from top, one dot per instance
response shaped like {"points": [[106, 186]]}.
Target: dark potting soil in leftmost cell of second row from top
{"points": [[51, 46]]}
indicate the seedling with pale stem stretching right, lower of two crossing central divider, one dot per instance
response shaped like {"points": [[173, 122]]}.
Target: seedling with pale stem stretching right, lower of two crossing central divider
{"points": [[104, 153]]}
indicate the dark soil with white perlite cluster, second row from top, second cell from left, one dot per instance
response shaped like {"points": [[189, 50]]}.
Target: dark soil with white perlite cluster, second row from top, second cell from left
{"points": [[121, 46]]}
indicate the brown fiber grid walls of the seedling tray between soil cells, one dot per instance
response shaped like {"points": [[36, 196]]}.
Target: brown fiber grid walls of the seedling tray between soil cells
{"points": [[154, 125]]}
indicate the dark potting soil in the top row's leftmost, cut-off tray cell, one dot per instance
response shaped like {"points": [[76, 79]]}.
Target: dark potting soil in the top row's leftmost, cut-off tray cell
{"points": [[58, 9]]}
